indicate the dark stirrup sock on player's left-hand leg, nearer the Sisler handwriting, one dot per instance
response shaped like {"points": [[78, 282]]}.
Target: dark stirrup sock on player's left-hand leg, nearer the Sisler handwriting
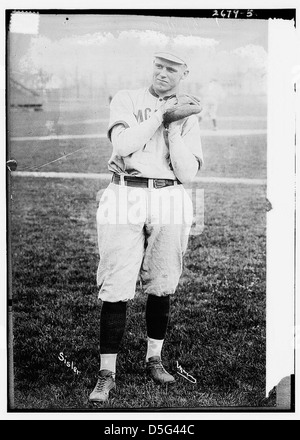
{"points": [[112, 326]]}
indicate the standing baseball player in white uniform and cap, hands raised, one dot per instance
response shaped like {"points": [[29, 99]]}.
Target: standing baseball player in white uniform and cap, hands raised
{"points": [[138, 237]]}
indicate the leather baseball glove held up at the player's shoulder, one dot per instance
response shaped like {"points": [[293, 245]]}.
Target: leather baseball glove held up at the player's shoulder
{"points": [[185, 106]]}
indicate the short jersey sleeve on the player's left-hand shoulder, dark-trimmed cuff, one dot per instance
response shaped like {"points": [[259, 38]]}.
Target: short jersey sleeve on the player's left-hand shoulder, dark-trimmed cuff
{"points": [[121, 112]]}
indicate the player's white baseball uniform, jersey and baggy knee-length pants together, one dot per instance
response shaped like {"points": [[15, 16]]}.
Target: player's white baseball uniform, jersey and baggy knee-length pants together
{"points": [[150, 242]]}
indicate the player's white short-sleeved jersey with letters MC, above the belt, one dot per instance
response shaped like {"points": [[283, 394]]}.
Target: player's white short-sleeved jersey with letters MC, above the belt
{"points": [[130, 108]]}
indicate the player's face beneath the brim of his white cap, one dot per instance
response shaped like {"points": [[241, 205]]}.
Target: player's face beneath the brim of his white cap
{"points": [[167, 76]]}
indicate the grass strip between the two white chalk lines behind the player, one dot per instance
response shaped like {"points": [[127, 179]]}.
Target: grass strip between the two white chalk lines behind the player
{"points": [[239, 156]]}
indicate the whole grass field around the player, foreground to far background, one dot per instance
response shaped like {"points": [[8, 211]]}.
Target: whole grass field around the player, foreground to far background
{"points": [[217, 326]]}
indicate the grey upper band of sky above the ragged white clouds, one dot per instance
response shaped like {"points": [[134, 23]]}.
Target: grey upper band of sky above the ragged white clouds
{"points": [[229, 33]]}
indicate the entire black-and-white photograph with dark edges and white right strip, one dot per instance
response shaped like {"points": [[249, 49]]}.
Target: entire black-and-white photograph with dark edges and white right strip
{"points": [[144, 158]]}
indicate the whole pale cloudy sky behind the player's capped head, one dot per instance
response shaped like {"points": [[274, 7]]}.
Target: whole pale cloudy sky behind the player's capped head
{"points": [[107, 47]]}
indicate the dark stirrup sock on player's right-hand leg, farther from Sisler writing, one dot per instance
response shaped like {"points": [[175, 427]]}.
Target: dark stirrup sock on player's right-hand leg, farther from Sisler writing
{"points": [[157, 316]]}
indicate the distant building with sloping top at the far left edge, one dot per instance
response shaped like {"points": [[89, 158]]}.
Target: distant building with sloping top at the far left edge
{"points": [[20, 96]]}
